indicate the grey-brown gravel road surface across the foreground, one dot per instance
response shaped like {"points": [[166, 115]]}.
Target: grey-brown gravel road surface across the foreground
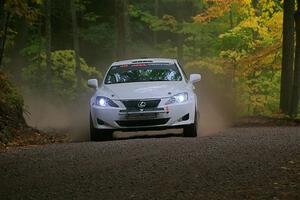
{"points": [[238, 163]]}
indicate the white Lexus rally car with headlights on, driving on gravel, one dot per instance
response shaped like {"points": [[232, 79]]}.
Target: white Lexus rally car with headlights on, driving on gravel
{"points": [[143, 94]]}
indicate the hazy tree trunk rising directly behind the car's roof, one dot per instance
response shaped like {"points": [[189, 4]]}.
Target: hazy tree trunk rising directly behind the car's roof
{"points": [[120, 29]]}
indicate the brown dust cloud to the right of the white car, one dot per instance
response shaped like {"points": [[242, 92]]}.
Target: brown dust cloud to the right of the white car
{"points": [[215, 103]]}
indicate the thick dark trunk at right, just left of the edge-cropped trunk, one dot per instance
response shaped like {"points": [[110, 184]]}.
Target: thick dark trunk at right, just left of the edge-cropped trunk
{"points": [[287, 55]]}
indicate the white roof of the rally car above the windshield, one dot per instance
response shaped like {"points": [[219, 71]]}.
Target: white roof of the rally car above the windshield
{"points": [[145, 60]]}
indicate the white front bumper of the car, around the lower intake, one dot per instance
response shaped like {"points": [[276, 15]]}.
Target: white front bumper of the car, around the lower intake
{"points": [[166, 116]]}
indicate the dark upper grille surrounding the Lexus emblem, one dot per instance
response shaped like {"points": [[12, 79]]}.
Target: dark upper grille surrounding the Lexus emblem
{"points": [[133, 105]]}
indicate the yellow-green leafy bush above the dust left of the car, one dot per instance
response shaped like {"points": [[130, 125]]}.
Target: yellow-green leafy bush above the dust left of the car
{"points": [[63, 80]]}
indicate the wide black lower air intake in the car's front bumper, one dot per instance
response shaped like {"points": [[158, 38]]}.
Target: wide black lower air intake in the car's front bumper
{"points": [[140, 123]]}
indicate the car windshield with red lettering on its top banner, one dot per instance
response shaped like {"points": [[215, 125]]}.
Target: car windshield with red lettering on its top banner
{"points": [[143, 72]]}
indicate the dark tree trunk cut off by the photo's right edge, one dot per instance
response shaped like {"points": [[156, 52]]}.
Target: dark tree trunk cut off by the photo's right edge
{"points": [[296, 84]]}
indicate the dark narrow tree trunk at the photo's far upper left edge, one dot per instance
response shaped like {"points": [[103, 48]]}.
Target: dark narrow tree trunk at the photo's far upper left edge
{"points": [[4, 19]]}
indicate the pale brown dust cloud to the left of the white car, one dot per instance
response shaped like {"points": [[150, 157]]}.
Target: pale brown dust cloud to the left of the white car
{"points": [[59, 117]]}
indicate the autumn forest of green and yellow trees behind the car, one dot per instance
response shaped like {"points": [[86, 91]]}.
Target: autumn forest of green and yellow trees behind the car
{"points": [[245, 49]]}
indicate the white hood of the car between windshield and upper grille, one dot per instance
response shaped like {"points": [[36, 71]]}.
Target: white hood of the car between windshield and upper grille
{"points": [[142, 90]]}
